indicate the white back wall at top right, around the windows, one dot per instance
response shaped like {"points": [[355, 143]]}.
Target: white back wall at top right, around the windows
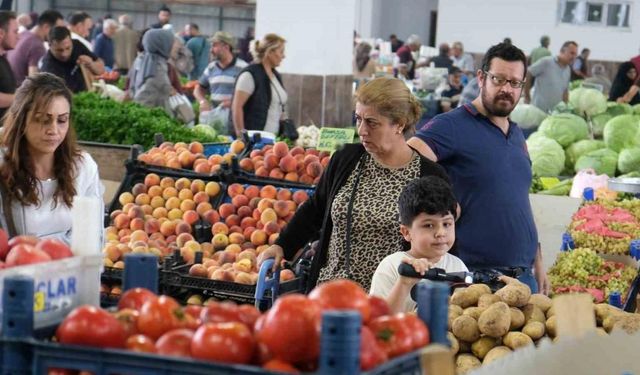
{"points": [[479, 24]]}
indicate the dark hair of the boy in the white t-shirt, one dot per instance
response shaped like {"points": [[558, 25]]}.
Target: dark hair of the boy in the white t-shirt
{"points": [[431, 195]]}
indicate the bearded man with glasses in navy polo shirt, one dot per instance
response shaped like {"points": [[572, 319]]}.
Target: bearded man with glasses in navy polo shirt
{"points": [[486, 157]]}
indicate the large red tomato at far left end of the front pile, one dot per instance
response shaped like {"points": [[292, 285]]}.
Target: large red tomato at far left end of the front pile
{"points": [[91, 326]]}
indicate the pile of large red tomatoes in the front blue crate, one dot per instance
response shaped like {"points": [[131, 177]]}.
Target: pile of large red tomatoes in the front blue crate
{"points": [[285, 338]]}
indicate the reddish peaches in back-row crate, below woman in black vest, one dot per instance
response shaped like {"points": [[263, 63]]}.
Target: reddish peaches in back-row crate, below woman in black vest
{"points": [[280, 162]]}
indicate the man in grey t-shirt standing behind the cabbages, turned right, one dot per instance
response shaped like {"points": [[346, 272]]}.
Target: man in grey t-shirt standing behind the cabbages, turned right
{"points": [[552, 76]]}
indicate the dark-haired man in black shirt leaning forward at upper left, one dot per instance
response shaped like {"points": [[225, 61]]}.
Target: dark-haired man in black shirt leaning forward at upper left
{"points": [[65, 57]]}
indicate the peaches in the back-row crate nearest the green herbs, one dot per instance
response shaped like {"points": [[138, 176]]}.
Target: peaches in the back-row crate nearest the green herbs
{"points": [[189, 156]]}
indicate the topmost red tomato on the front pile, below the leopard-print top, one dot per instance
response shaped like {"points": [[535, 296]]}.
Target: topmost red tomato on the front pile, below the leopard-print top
{"points": [[342, 295]]}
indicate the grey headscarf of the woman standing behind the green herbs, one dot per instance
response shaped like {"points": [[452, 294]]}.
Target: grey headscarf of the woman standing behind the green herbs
{"points": [[157, 45]]}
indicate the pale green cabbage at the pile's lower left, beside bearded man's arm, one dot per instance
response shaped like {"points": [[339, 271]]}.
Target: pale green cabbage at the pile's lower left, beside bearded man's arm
{"points": [[547, 156]]}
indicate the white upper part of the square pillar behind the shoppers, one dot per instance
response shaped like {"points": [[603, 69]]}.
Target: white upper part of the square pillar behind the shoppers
{"points": [[319, 33]]}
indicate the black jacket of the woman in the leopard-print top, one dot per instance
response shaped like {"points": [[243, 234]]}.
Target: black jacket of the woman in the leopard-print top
{"points": [[314, 216]]}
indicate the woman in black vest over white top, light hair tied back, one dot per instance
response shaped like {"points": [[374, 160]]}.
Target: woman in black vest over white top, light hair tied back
{"points": [[259, 98]]}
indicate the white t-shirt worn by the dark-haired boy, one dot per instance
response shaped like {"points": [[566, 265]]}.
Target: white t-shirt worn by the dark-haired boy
{"points": [[387, 274]]}
